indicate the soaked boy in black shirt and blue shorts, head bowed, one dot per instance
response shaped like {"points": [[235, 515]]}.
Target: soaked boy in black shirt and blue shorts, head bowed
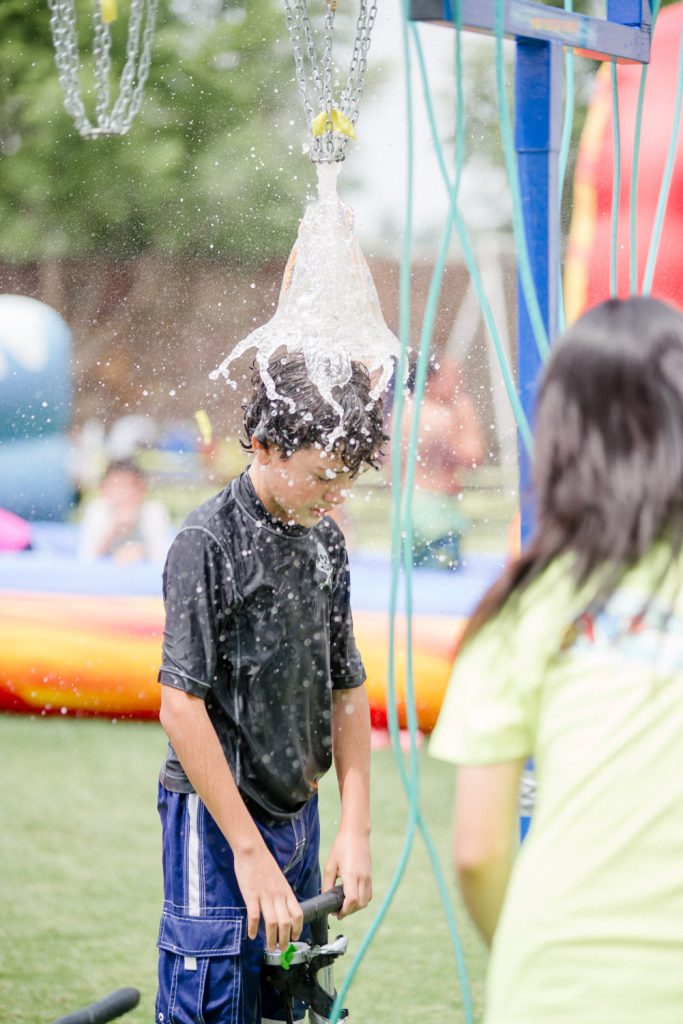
{"points": [[263, 688]]}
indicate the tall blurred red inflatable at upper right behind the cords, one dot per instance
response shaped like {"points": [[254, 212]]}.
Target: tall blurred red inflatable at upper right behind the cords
{"points": [[588, 262]]}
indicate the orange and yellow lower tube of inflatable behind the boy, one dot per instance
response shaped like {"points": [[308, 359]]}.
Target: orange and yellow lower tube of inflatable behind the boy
{"points": [[99, 655]]}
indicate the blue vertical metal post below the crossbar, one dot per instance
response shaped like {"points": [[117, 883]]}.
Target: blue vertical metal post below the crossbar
{"points": [[538, 137]]}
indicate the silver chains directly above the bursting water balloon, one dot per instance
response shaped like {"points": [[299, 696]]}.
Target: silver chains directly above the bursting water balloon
{"points": [[318, 78]]}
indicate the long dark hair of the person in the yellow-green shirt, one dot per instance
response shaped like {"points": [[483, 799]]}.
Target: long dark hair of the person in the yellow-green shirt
{"points": [[609, 458]]}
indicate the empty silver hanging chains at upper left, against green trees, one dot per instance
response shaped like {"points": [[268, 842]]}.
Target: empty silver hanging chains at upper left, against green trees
{"points": [[109, 121]]}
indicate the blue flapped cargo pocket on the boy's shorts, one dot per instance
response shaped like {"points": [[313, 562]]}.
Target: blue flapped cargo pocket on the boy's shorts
{"points": [[199, 970]]}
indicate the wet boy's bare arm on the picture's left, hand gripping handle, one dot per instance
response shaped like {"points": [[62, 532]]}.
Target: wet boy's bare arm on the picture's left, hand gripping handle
{"points": [[264, 887]]}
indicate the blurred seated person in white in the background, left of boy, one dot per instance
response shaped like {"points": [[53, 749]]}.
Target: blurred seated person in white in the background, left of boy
{"points": [[121, 523]]}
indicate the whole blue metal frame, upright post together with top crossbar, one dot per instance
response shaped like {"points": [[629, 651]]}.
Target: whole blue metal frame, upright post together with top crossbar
{"points": [[541, 32]]}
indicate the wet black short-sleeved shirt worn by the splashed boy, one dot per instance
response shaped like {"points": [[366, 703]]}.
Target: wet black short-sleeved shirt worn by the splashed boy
{"points": [[259, 624]]}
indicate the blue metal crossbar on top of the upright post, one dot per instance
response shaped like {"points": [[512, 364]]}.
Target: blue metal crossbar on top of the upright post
{"points": [[609, 39]]}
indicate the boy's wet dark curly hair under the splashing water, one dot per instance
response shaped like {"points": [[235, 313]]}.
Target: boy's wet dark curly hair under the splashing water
{"points": [[302, 418]]}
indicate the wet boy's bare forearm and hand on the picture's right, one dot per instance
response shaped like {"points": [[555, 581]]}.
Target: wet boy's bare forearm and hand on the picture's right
{"points": [[350, 858]]}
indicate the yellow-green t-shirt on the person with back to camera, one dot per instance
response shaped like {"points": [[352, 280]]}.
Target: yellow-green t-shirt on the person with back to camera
{"points": [[592, 927]]}
